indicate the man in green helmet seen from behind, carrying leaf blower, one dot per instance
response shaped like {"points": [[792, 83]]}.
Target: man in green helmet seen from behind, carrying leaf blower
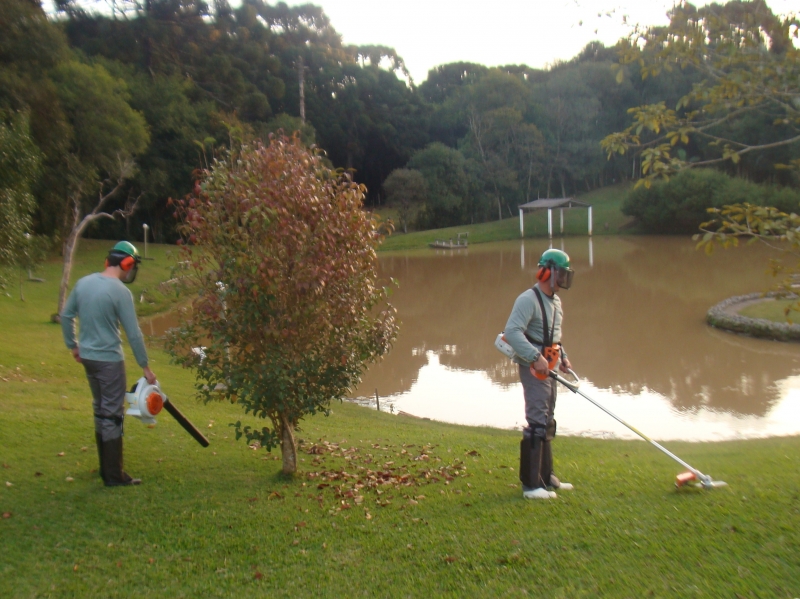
{"points": [[101, 303]]}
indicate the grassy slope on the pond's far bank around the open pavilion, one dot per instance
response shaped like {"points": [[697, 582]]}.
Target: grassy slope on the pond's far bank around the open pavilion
{"points": [[607, 219]]}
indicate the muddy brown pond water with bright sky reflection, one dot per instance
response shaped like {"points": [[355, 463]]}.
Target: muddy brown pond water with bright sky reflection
{"points": [[634, 329]]}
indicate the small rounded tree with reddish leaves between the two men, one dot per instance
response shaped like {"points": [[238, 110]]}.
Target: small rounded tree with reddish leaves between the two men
{"points": [[288, 309]]}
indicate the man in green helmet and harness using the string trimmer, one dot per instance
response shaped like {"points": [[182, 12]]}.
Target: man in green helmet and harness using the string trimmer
{"points": [[533, 331]]}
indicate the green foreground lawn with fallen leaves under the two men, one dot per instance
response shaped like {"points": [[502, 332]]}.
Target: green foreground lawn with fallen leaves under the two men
{"points": [[223, 522]]}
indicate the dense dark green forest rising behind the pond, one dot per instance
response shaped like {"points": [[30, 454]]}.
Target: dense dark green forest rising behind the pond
{"points": [[132, 97]]}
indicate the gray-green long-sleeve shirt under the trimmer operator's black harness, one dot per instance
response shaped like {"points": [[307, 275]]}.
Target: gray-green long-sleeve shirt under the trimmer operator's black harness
{"points": [[526, 318]]}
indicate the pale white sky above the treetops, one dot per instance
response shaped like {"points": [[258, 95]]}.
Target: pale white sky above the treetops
{"points": [[427, 33]]}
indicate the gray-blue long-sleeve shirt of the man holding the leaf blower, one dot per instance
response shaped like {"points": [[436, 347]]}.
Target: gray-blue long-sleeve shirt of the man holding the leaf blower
{"points": [[101, 304]]}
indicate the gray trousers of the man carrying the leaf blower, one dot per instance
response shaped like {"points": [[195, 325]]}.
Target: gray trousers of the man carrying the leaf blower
{"points": [[108, 385]]}
